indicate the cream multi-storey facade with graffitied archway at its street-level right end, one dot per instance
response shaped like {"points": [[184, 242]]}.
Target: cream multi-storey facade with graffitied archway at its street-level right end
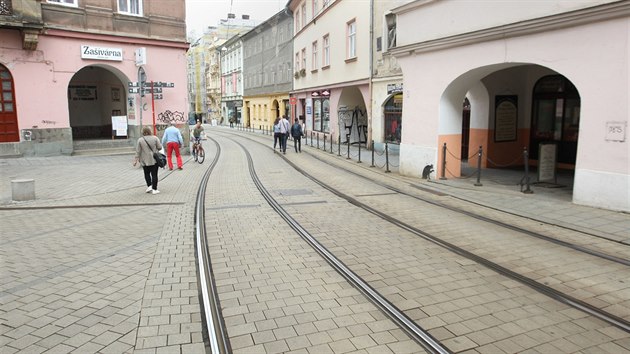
{"points": [[331, 50]]}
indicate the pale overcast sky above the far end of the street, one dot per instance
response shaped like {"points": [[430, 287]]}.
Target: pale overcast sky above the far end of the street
{"points": [[203, 13]]}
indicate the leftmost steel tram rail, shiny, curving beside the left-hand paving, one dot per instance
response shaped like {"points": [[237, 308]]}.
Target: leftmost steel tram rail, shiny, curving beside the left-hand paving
{"points": [[211, 309]]}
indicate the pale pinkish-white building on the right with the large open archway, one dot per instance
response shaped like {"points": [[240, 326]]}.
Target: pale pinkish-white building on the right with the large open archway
{"points": [[548, 76]]}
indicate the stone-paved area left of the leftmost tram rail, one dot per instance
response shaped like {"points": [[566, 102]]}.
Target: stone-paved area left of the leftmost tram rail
{"points": [[95, 264]]}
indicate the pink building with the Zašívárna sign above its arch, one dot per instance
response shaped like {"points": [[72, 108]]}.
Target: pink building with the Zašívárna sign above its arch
{"points": [[71, 84]]}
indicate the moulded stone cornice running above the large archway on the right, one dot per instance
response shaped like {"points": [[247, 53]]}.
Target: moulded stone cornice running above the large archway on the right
{"points": [[538, 25]]}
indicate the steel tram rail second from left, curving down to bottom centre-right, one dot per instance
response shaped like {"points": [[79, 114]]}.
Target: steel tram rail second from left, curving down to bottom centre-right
{"points": [[421, 336]]}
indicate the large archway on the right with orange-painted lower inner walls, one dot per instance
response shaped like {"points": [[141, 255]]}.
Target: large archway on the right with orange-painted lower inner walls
{"points": [[539, 112]]}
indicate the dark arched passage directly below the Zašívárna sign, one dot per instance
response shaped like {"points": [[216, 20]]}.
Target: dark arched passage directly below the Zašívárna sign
{"points": [[95, 94]]}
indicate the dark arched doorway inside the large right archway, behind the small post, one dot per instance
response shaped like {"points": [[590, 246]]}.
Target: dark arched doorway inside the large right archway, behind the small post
{"points": [[555, 117]]}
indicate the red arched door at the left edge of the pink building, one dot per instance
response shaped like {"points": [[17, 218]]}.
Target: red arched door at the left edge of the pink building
{"points": [[8, 116]]}
